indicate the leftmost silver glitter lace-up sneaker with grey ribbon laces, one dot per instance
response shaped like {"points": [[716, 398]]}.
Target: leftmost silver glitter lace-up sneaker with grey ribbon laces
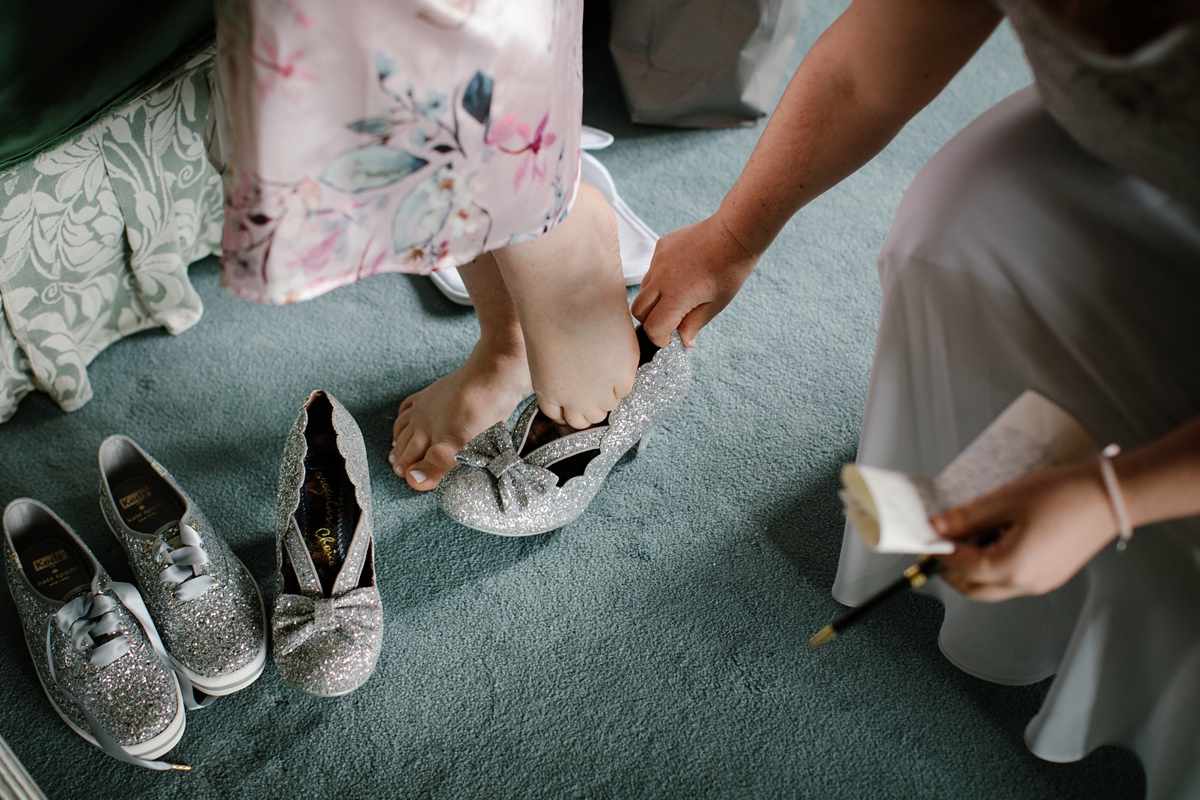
{"points": [[95, 648]]}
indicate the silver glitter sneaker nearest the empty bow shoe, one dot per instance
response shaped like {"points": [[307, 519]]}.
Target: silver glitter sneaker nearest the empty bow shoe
{"points": [[202, 598]]}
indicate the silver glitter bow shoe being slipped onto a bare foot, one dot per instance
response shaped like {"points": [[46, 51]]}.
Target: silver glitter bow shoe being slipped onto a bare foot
{"points": [[532, 480]]}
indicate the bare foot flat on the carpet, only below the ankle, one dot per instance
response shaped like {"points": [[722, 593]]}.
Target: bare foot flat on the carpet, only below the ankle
{"points": [[437, 422]]}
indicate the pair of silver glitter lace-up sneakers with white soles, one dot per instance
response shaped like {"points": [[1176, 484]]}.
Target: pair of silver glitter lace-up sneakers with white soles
{"points": [[121, 666]]}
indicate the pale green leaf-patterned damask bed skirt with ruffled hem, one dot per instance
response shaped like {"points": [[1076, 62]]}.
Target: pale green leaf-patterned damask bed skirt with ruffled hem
{"points": [[97, 236]]}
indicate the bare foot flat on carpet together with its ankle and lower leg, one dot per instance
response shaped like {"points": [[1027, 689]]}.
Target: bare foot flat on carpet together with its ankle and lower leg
{"points": [[437, 422]]}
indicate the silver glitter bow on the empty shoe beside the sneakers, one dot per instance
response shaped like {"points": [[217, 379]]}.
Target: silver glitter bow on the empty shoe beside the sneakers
{"points": [[298, 619]]}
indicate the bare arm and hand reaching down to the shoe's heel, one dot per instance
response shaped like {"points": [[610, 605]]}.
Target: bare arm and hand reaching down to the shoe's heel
{"points": [[868, 75]]}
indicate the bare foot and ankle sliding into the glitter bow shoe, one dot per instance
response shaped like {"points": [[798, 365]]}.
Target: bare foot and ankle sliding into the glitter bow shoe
{"points": [[571, 297]]}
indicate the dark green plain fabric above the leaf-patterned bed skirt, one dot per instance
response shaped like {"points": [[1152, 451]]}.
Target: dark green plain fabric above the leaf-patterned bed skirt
{"points": [[62, 63]]}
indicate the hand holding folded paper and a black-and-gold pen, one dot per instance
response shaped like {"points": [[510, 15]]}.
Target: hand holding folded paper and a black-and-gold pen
{"points": [[1051, 524]]}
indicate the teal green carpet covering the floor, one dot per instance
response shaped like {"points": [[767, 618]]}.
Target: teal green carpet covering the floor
{"points": [[657, 647]]}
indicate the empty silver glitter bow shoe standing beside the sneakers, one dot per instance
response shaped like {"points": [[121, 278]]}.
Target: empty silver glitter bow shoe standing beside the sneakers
{"points": [[327, 625]]}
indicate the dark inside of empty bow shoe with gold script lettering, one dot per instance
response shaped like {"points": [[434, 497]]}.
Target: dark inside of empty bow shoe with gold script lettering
{"points": [[328, 513]]}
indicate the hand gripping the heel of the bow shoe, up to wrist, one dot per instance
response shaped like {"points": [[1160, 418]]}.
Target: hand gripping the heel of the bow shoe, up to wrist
{"points": [[694, 275]]}
